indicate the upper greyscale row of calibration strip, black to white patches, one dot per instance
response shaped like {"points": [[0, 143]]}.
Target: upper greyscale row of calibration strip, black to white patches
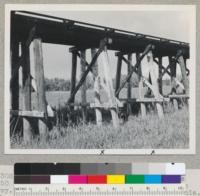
{"points": [[99, 168]]}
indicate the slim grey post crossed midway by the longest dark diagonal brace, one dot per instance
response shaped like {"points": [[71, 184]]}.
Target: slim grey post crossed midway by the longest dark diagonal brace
{"points": [[83, 88]]}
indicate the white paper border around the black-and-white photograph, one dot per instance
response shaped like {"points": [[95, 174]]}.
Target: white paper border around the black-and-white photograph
{"points": [[102, 7]]}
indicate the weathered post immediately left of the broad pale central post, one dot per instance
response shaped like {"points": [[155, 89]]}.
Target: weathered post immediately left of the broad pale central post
{"points": [[96, 89]]}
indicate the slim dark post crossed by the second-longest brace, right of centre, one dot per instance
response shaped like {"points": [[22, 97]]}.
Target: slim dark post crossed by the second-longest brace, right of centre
{"points": [[129, 85]]}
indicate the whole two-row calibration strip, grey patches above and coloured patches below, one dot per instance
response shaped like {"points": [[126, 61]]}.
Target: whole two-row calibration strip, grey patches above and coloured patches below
{"points": [[98, 173]]}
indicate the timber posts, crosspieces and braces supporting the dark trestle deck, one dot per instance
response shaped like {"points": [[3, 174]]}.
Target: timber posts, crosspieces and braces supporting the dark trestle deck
{"points": [[22, 59]]}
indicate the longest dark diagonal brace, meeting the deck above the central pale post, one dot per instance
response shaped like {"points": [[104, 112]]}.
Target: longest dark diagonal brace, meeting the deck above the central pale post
{"points": [[103, 43]]}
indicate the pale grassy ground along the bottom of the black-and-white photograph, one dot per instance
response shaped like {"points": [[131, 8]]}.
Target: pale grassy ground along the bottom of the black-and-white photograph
{"points": [[151, 132]]}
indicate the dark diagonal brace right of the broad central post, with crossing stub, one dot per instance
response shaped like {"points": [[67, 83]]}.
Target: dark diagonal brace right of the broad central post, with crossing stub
{"points": [[134, 68]]}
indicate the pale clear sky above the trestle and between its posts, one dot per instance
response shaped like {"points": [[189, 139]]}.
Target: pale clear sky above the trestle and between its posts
{"points": [[168, 24]]}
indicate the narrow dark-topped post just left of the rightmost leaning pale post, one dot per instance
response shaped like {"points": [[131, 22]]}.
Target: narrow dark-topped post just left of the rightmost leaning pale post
{"points": [[173, 67]]}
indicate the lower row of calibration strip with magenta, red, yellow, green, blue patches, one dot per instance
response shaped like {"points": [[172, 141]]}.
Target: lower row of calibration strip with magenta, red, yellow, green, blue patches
{"points": [[98, 179]]}
